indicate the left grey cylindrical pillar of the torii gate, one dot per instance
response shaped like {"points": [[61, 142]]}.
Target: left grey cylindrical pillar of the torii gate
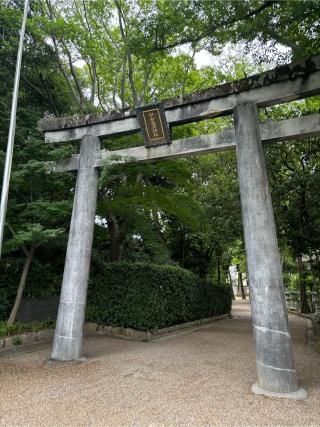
{"points": [[67, 342]]}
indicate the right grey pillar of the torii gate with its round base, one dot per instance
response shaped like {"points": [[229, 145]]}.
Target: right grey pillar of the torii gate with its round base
{"points": [[274, 356]]}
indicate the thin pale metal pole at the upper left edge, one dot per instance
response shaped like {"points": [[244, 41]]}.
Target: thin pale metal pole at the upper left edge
{"points": [[12, 128]]}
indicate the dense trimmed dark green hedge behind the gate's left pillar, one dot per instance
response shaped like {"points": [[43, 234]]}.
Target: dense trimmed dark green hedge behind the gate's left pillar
{"points": [[147, 296]]}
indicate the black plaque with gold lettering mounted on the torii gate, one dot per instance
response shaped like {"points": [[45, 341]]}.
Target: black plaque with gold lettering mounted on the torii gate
{"points": [[154, 125]]}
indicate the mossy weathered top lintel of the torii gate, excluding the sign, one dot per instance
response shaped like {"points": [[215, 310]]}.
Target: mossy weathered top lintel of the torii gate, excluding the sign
{"points": [[290, 82]]}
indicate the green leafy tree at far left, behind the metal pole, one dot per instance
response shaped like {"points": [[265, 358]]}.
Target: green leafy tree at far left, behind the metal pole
{"points": [[37, 206]]}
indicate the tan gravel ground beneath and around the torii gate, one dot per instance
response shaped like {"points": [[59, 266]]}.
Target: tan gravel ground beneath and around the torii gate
{"points": [[199, 378]]}
